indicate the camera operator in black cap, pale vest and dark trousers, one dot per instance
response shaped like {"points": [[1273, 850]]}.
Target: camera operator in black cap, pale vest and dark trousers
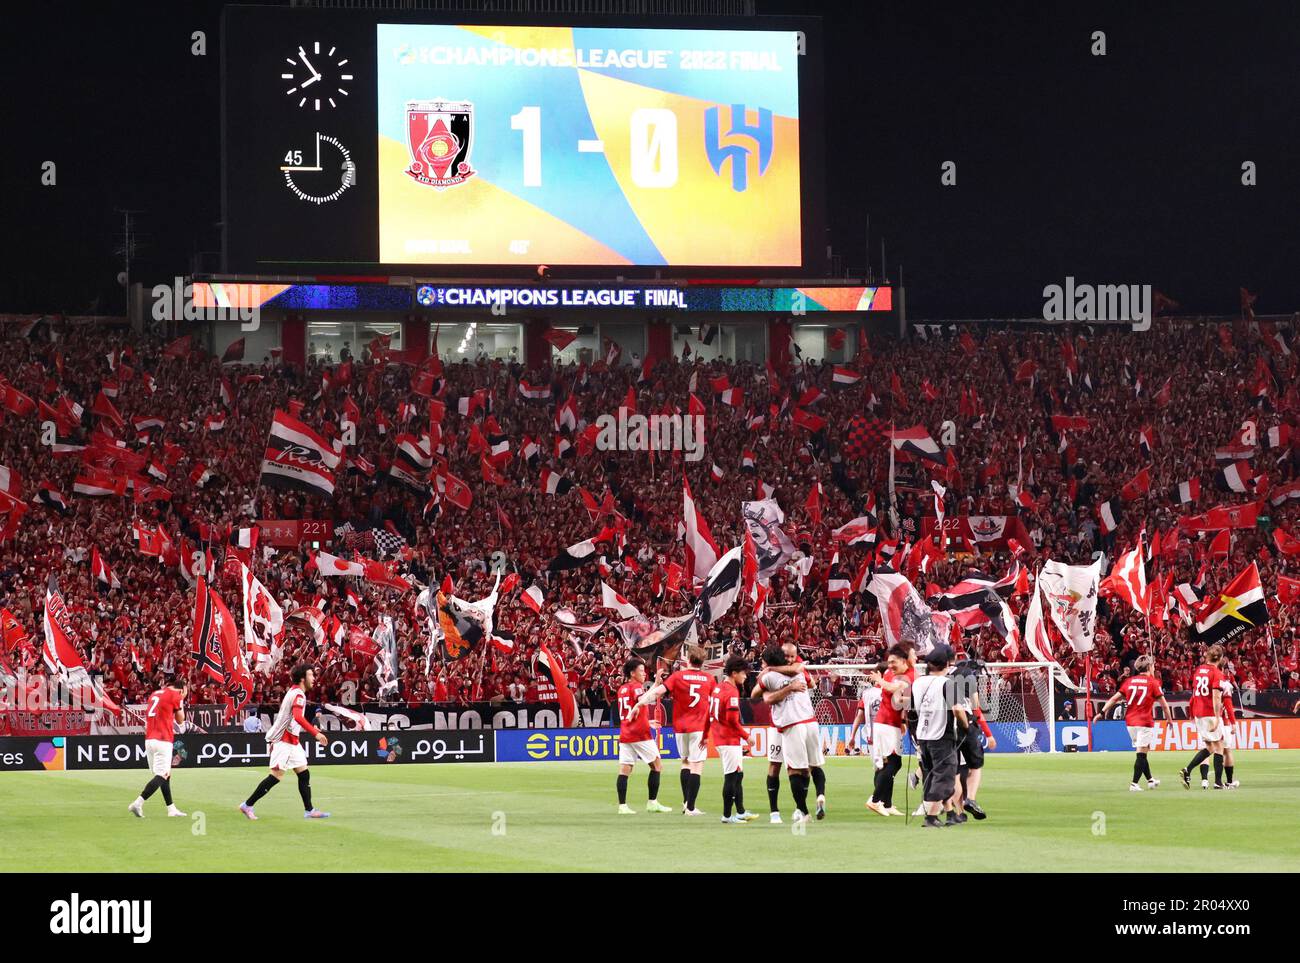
{"points": [[938, 719]]}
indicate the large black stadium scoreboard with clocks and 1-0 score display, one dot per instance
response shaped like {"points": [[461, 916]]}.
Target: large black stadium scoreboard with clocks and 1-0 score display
{"points": [[361, 140]]}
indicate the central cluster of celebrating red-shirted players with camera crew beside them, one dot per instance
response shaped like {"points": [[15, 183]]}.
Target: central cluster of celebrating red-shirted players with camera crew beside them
{"points": [[952, 739]]}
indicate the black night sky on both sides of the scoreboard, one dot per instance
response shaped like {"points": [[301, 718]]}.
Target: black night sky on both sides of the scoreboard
{"points": [[1119, 170]]}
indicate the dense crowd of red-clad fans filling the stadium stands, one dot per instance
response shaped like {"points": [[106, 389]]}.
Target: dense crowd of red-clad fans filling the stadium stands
{"points": [[1194, 384]]}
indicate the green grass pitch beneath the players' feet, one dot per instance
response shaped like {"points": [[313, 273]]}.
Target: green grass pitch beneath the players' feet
{"points": [[1063, 813]]}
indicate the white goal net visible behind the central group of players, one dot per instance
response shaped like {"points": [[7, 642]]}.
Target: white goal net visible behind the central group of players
{"points": [[1017, 700]]}
